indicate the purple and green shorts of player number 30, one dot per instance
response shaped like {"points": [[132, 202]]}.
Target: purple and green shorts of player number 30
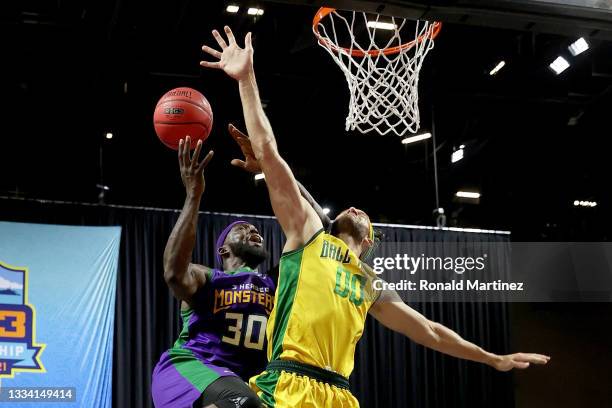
{"points": [[179, 379]]}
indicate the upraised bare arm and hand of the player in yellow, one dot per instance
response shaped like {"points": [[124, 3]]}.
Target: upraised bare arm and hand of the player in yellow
{"points": [[296, 217]]}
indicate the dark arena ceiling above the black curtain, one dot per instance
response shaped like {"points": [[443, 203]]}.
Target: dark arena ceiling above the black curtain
{"points": [[74, 70]]}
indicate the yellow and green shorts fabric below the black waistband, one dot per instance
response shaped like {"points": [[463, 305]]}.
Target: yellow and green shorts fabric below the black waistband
{"points": [[281, 389]]}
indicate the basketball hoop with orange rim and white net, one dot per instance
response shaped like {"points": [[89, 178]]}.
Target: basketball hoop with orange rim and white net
{"points": [[382, 78]]}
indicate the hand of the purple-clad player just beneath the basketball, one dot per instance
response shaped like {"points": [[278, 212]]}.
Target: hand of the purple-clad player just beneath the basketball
{"points": [[192, 172]]}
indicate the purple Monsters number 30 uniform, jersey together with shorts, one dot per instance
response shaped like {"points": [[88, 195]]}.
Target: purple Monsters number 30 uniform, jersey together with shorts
{"points": [[223, 334]]}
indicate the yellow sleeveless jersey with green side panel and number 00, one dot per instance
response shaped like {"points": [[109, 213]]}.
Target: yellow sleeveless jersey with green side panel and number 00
{"points": [[323, 296]]}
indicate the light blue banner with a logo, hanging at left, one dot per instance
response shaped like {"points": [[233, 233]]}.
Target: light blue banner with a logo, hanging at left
{"points": [[57, 309]]}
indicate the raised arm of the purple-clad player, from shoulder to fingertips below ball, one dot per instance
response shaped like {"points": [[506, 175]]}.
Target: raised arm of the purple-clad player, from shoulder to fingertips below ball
{"points": [[183, 277]]}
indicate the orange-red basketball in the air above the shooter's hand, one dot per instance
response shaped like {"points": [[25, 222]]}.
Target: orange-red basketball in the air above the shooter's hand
{"points": [[182, 112]]}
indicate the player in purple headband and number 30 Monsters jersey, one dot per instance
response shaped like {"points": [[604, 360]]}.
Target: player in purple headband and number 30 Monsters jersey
{"points": [[224, 311]]}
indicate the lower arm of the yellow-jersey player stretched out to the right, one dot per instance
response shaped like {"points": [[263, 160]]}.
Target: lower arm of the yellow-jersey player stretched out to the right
{"points": [[394, 314]]}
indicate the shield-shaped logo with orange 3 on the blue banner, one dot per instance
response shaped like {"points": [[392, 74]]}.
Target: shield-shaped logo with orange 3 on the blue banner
{"points": [[18, 349]]}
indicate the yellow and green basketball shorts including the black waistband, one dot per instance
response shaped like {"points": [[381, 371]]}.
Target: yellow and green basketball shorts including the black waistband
{"points": [[288, 384]]}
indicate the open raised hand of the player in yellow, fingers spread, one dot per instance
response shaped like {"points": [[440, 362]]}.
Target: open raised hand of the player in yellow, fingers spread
{"points": [[235, 61]]}
